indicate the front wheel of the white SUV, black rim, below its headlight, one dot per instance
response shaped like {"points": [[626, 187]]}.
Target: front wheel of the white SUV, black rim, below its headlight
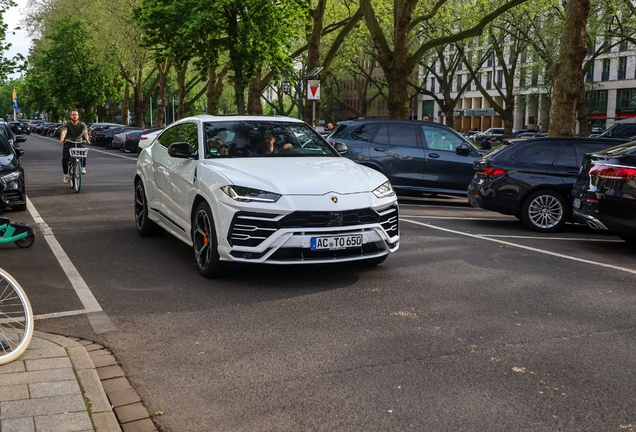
{"points": [[204, 243]]}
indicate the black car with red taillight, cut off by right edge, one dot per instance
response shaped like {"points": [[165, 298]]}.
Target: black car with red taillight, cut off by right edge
{"points": [[605, 191]]}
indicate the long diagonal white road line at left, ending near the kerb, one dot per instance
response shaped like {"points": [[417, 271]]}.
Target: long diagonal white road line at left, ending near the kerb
{"points": [[100, 322]]}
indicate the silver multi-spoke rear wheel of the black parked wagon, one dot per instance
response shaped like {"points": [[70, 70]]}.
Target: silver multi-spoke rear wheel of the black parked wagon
{"points": [[545, 211]]}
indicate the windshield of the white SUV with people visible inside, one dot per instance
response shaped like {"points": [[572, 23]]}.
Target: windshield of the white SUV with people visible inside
{"points": [[263, 139]]}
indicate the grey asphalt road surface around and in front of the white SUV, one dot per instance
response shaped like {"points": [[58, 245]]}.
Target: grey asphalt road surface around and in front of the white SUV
{"points": [[475, 324]]}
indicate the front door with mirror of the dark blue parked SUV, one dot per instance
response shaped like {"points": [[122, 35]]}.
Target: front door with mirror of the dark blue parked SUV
{"points": [[446, 168]]}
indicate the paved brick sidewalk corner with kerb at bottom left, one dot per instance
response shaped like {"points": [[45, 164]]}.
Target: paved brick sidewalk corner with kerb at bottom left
{"points": [[58, 385]]}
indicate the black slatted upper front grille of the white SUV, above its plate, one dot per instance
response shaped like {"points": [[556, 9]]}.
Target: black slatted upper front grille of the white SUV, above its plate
{"points": [[251, 229]]}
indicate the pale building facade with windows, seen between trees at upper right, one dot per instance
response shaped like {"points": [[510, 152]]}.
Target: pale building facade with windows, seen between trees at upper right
{"points": [[610, 95]]}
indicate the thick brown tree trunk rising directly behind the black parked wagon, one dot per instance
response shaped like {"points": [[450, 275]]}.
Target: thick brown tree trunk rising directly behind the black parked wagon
{"points": [[566, 73]]}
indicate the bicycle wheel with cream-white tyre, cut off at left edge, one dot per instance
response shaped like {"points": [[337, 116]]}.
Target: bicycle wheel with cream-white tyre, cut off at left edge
{"points": [[16, 319]]}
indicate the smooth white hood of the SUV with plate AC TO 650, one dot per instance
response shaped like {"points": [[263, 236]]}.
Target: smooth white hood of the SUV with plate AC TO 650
{"points": [[299, 175]]}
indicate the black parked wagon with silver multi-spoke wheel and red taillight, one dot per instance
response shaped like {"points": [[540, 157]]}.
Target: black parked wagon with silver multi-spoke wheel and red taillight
{"points": [[533, 179]]}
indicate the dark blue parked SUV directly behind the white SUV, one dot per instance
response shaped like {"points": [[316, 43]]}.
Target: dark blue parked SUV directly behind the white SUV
{"points": [[420, 158]]}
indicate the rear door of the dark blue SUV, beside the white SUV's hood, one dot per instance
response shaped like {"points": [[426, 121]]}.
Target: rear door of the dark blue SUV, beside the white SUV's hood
{"points": [[397, 149]]}
